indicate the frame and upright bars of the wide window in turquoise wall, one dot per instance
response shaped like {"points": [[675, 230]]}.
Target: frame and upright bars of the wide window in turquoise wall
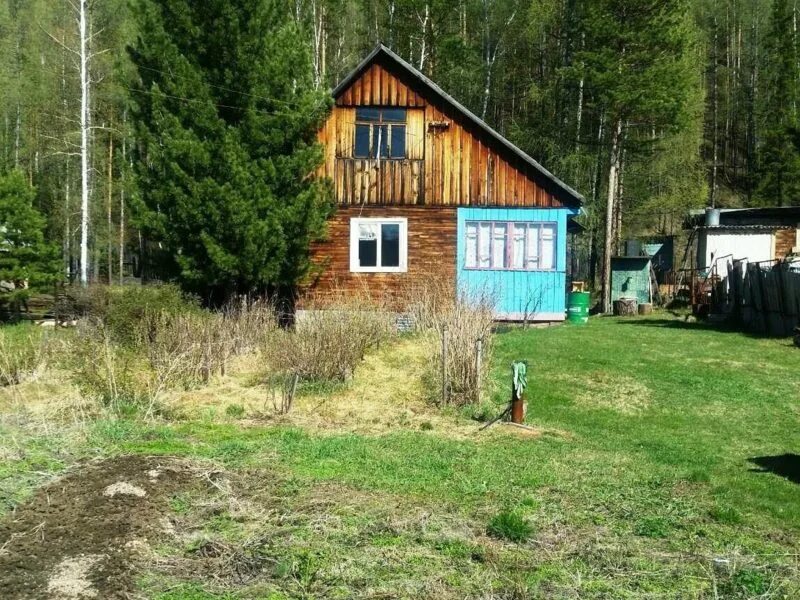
{"points": [[511, 227]]}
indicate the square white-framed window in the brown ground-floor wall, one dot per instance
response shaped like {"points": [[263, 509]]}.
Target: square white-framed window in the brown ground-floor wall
{"points": [[379, 245]]}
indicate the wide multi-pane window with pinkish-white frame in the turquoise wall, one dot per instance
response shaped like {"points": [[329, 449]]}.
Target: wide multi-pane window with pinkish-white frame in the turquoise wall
{"points": [[510, 245]]}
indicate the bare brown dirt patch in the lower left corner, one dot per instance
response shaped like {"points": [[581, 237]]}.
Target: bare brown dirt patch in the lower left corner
{"points": [[80, 536]]}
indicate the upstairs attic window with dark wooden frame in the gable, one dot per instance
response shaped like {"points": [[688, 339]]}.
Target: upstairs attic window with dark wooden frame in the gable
{"points": [[380, 133]]}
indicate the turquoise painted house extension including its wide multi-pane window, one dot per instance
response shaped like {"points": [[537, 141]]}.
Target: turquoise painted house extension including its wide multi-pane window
{"points": [[538, 295]]}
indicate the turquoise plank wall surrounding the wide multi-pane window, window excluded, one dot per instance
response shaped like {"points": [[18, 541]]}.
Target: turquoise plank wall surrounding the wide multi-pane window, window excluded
{"points": [[512, 290]]}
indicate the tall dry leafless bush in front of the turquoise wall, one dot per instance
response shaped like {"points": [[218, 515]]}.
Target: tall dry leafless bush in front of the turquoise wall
{"points": [[439, 312]]}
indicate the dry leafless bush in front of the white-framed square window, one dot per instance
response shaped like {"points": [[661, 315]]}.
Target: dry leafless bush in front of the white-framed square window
{"points": [[329, 340]]}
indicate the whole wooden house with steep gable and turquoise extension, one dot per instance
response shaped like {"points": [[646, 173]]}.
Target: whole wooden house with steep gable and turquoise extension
{"points": [[428, 191]]}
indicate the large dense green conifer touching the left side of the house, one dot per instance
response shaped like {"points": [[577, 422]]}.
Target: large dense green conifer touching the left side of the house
{"points": [[226, 116]]}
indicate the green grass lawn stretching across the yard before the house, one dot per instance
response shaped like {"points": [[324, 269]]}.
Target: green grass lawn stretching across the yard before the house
{"points": [[665, 466]]}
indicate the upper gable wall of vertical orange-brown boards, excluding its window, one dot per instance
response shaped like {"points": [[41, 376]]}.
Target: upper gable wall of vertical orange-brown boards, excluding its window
{"points": [[460, 165]]}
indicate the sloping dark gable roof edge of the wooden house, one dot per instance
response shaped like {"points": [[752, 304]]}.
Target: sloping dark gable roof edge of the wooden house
{"points": [[431, 91]]}
